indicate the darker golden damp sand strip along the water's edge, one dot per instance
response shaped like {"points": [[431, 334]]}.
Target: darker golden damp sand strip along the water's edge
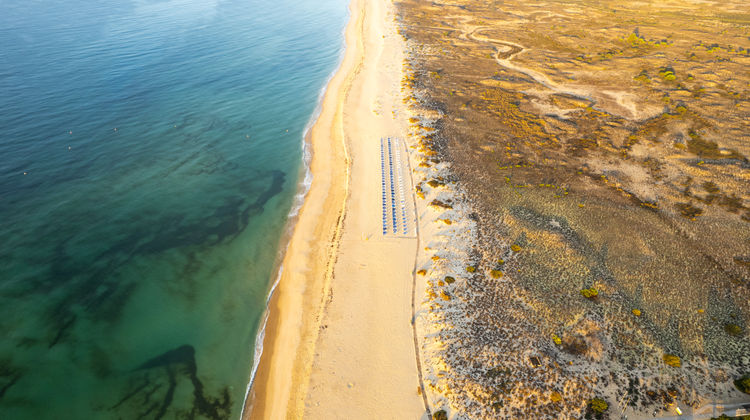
{"points": [[274, 387]]}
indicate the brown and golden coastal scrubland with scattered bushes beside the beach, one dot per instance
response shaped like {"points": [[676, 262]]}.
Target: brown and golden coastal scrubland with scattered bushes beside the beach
{"points": [[598, 153]]}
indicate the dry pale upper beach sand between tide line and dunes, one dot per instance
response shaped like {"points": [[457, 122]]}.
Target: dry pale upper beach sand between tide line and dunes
{"points": [[365, 361]]}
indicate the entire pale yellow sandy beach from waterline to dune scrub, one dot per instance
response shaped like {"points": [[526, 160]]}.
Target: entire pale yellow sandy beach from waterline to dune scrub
{"points": [[339, 341]]}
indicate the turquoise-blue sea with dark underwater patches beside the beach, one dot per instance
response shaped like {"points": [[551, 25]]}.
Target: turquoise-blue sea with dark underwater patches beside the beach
{"points": [[150, 153]]}
